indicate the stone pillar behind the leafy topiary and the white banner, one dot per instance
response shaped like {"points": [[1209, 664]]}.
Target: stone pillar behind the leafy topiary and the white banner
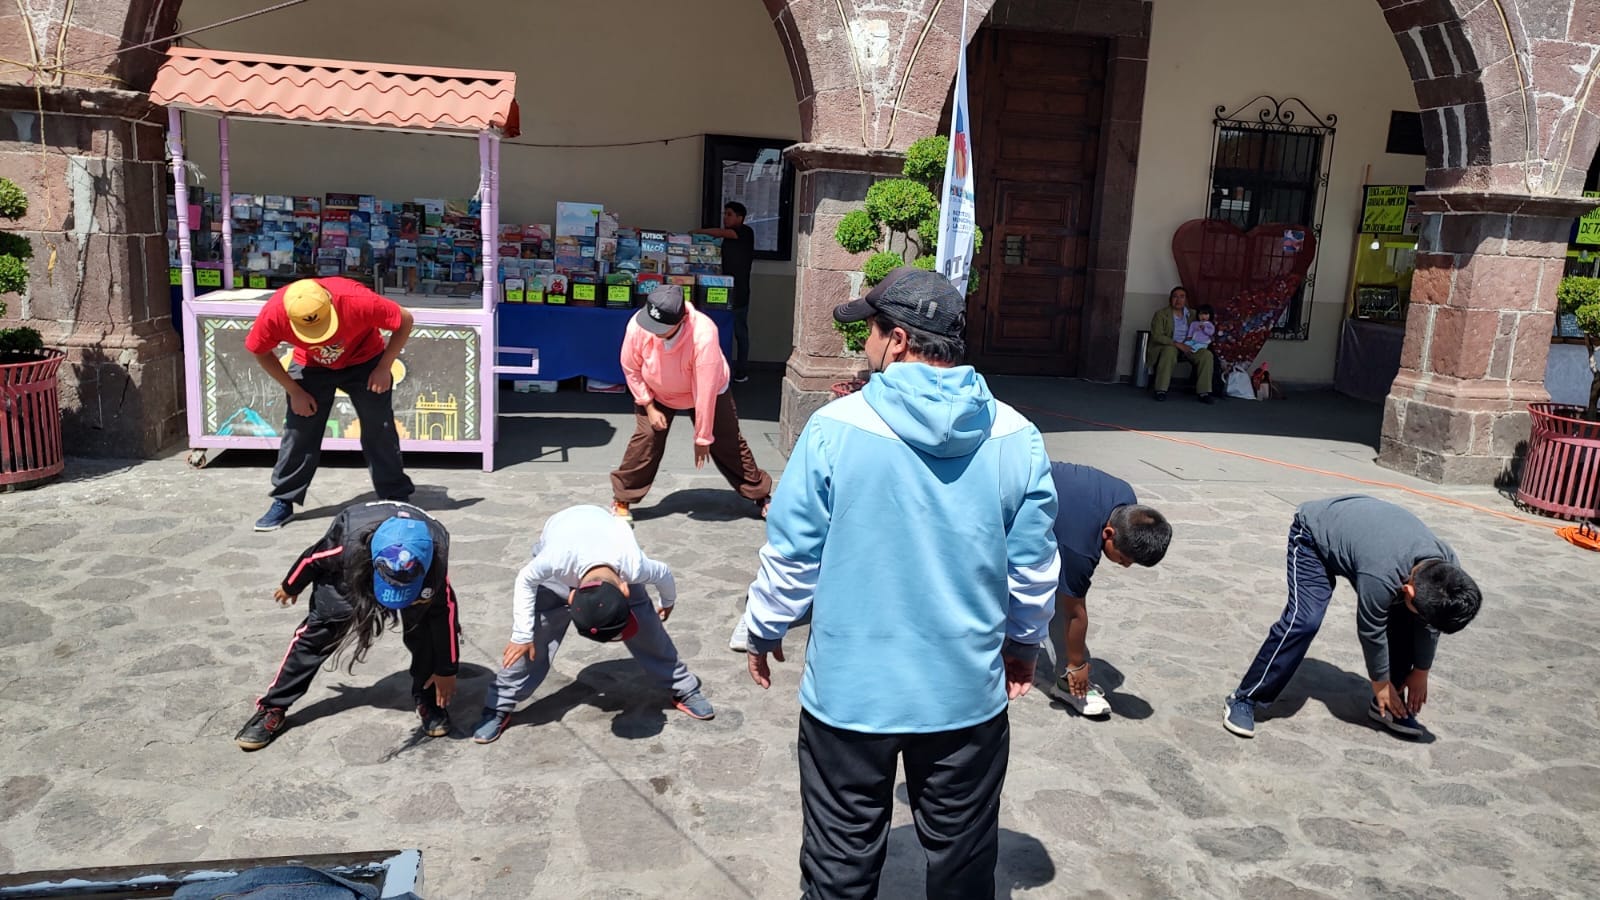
{"points": [[833, 182]]}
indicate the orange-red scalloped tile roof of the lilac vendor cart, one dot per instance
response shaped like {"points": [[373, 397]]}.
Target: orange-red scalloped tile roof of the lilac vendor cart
{"points": [[338, 92]]}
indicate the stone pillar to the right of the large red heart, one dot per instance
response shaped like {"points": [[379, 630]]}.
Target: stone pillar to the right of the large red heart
{"points": [[1478, 334]]}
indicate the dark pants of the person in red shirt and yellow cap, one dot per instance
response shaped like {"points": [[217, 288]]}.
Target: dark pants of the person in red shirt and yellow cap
{"points": [[300, 449]]}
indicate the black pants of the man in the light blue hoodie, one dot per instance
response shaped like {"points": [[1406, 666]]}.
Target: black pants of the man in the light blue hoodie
{"points": [[847, 797]]}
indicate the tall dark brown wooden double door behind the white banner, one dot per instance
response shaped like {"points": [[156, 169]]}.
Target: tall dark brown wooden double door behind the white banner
{"points": [[1038, 108]]}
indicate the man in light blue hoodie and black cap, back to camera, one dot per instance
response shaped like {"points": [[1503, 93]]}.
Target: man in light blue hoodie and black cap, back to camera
{"points": [[914, 524]]}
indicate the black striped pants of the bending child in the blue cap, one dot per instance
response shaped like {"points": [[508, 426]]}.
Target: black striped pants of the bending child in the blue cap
{"points": [[319, 637]]}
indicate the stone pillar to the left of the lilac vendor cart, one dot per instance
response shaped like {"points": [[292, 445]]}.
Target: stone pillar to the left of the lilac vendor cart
{"points": [[95, 180]]}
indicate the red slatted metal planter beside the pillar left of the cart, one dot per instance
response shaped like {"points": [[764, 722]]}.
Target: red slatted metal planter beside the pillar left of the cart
{"points": [[30, 420]]}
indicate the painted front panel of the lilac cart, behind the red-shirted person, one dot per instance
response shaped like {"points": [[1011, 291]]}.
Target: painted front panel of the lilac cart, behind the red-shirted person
{"points": [[436, 387]]}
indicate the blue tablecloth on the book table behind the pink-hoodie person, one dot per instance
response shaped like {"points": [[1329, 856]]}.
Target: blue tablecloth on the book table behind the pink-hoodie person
{"points": [[578, 340]]}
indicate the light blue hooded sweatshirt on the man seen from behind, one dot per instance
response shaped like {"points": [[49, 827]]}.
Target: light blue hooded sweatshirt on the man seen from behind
{"points": [[914, 523]]}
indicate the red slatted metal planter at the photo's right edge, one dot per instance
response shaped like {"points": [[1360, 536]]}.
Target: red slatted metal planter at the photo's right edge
{"points": [[1561, 476]]}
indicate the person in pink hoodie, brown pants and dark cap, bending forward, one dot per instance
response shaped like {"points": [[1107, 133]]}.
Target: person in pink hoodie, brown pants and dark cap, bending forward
{"points": [[674, 364]]}
